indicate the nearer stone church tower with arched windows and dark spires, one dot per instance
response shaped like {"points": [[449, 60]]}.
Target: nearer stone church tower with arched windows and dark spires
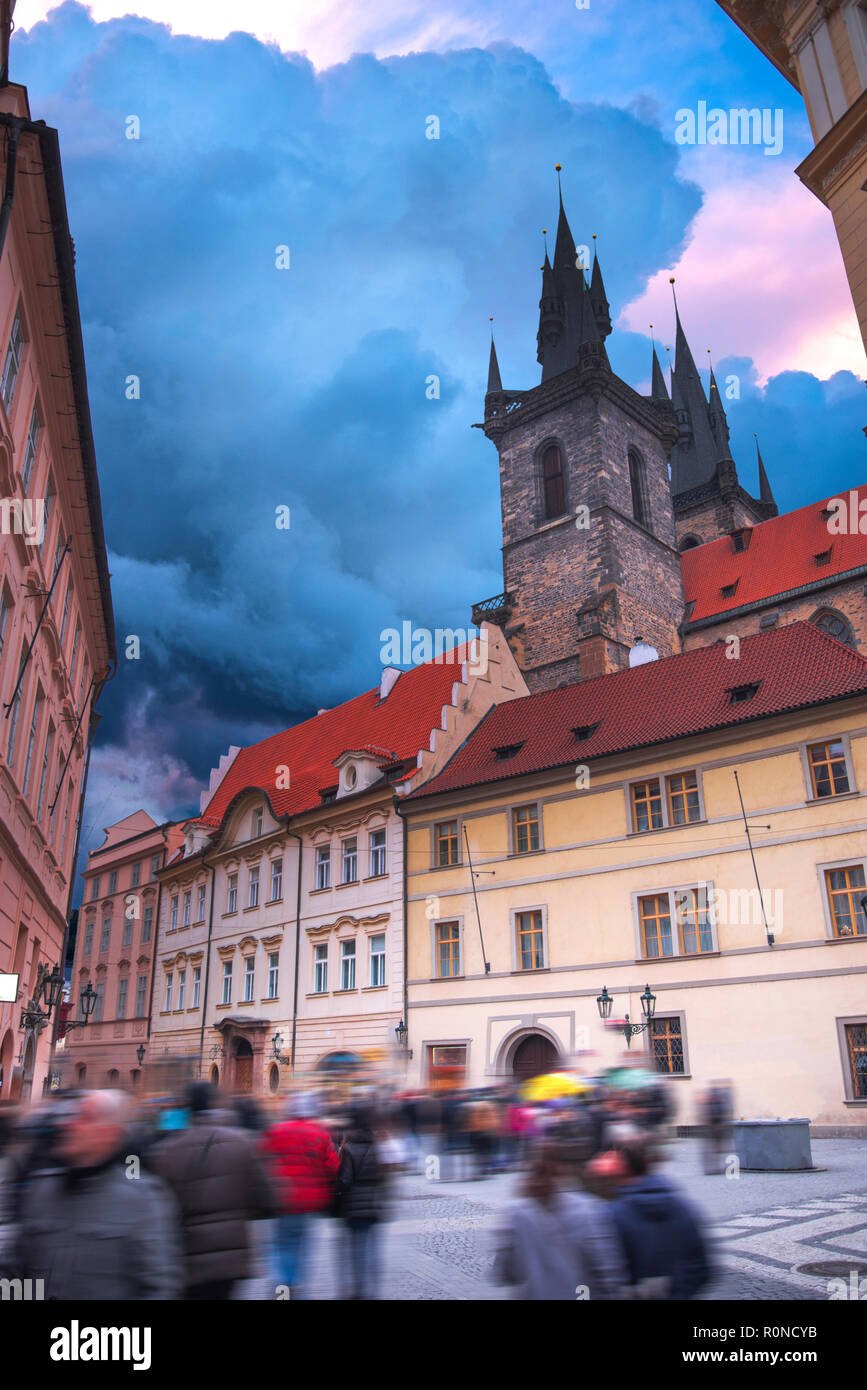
{"points": [[591, 562]]}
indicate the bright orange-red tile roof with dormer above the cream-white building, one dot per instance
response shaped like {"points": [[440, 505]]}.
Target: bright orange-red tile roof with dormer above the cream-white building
{"points": [[394, 730]]}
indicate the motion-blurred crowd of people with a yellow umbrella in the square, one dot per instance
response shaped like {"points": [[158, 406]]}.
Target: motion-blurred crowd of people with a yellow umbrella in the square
{"points": [[104, 1197]]}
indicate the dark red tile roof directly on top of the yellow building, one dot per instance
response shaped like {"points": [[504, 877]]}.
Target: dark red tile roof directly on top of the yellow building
{"points": [[794, 667]]}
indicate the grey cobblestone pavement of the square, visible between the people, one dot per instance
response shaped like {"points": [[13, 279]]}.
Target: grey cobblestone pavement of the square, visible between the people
{"points": [[440, 1243]]}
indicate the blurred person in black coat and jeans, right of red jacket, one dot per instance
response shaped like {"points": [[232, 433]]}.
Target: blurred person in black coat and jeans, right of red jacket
{"points": [[362, 1202]]}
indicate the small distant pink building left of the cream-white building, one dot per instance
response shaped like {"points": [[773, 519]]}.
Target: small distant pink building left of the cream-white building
{"points": [[115, 953]]}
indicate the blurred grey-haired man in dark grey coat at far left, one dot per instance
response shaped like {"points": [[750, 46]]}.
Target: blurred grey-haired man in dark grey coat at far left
{"points": [[91, 1227]]}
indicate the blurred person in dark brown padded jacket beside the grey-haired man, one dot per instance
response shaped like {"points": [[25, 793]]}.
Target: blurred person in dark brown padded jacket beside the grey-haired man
{"points": [[222, 1186]]}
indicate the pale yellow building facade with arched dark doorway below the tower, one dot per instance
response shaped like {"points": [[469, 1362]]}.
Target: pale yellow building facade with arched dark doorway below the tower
{"points": [[634, 869]]}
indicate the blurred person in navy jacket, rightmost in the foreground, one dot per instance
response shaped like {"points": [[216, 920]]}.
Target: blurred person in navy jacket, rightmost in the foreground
{"points": [[661, 1232]]}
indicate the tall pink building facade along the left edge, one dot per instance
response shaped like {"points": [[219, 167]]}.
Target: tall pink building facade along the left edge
{"points": [[58, 643]]}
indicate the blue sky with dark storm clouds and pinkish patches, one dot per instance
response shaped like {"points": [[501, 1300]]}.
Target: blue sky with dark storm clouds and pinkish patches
{"points": [[306, 387]]}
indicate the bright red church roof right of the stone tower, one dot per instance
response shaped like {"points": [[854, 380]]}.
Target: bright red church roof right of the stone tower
{"points": [[782, 557]]}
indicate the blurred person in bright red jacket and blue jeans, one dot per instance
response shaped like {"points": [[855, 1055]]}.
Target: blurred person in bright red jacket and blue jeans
{"points": [[304, 1164]]}
